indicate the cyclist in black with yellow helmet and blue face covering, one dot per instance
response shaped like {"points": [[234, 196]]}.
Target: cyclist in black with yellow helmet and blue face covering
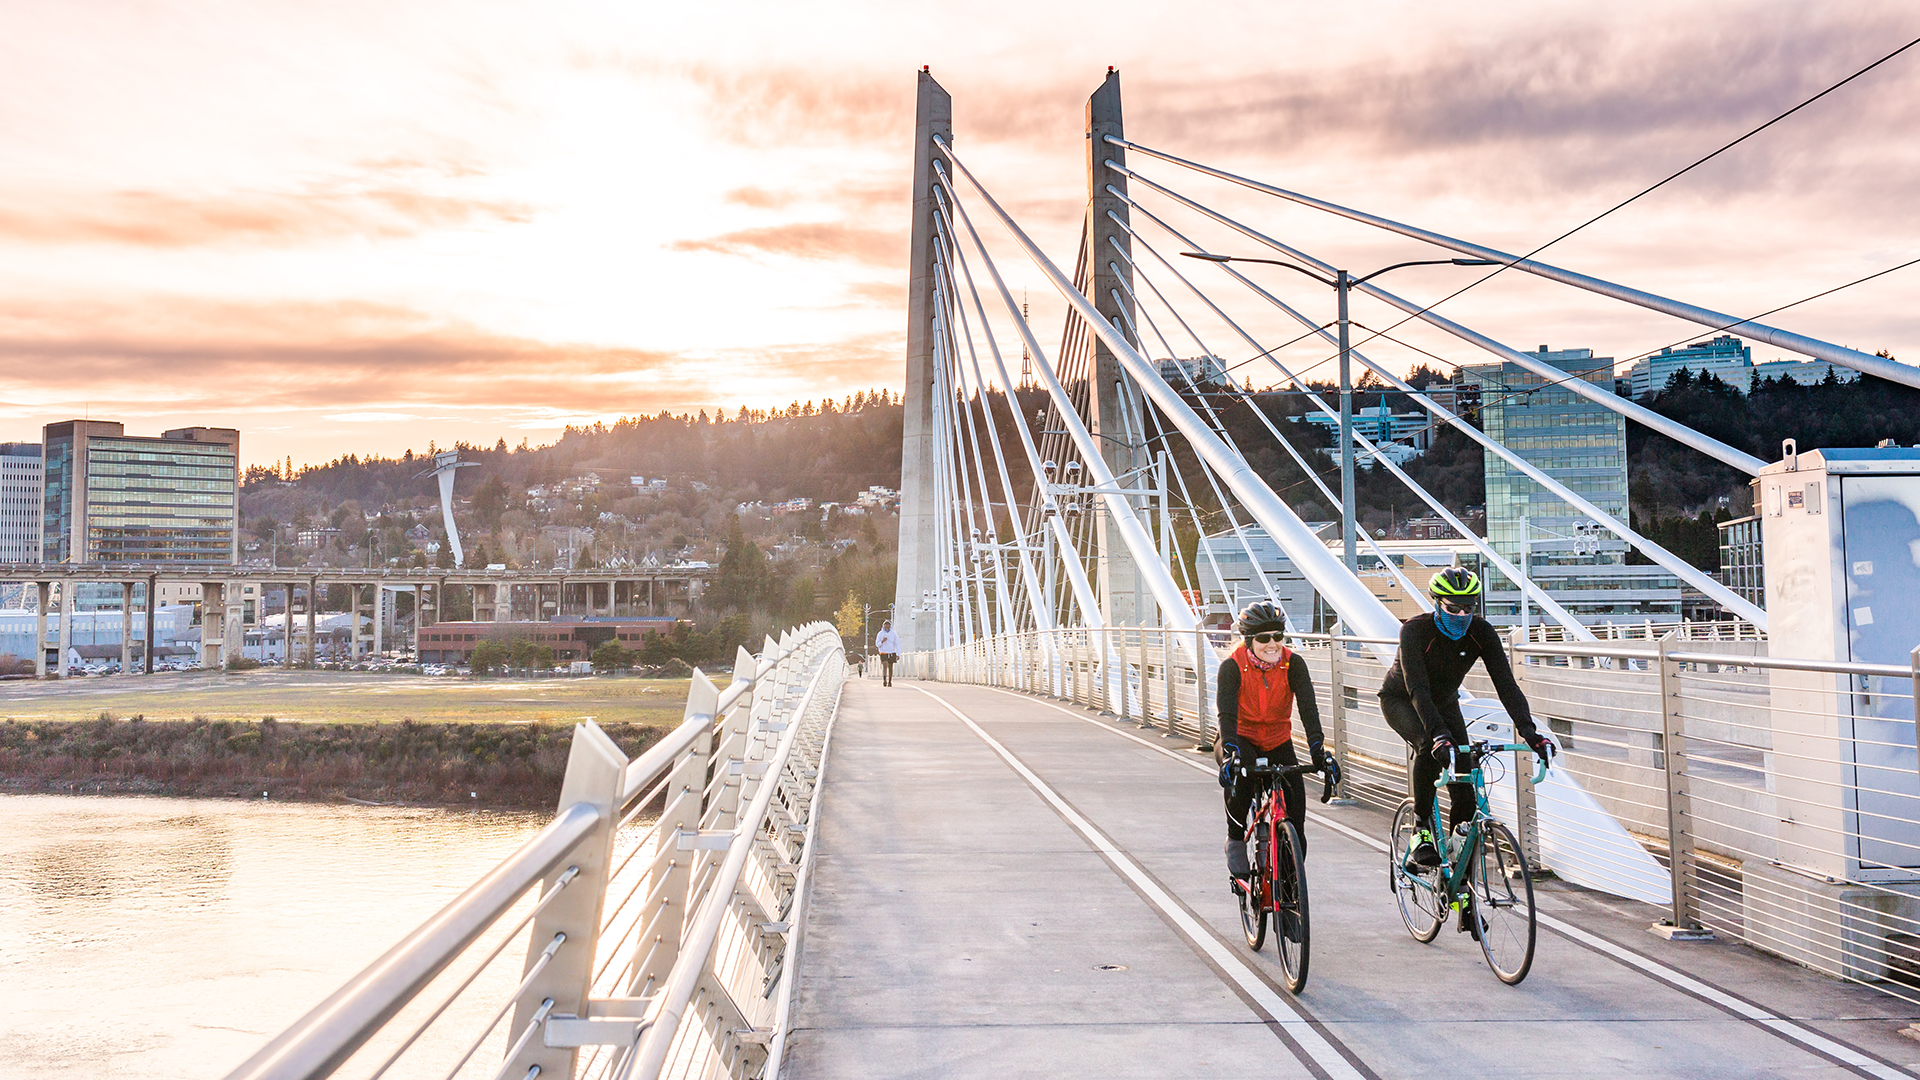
{"points": [[1420, 697]]}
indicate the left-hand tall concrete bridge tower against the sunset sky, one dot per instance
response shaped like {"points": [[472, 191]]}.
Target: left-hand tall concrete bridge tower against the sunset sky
{"points": [[921, 499]]}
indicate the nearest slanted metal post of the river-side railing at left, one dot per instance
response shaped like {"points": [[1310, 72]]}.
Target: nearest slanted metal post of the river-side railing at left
{"points": [[562, 981]]}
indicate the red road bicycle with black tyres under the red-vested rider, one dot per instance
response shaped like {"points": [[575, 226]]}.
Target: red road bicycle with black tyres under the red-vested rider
{"points": [[1280, 881]]}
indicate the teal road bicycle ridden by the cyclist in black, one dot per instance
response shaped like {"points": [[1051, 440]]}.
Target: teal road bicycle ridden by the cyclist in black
{"points": [[1483, 873]]}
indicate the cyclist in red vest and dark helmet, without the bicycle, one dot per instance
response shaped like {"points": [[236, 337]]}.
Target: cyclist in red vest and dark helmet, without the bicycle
{"points": [[1260, 689]]}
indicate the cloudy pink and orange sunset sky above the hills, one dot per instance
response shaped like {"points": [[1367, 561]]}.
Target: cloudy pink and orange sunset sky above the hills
{"points": [[372, 226]]}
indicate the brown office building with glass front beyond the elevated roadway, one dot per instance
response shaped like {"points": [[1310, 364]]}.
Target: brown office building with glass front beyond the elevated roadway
{"points": [[118, 499]]}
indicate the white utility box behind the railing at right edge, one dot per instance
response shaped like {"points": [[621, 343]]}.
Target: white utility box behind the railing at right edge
{"points": [[1842, 552]]}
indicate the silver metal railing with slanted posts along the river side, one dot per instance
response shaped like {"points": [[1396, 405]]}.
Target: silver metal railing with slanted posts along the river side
{"points": [[660, 912]]}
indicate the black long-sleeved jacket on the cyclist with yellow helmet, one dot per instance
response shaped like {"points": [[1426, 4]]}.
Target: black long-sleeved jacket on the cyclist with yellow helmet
{"points": [[1431, 668]]}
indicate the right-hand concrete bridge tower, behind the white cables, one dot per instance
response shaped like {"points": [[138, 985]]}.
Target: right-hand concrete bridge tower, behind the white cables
{"points": [[1113, 401]]}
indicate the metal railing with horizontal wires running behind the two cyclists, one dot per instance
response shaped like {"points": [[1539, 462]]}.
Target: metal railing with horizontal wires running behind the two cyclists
{"points": [[1779, 797]]}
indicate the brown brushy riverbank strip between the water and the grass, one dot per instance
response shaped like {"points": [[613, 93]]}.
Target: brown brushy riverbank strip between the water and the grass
{"points": [[494, 766]]}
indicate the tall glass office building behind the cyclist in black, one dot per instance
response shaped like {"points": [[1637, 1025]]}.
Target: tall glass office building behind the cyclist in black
{"points": [[1581, 445]]}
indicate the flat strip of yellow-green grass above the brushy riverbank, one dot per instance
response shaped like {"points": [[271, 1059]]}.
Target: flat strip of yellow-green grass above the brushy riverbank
{"points": [[327, 697]]}
